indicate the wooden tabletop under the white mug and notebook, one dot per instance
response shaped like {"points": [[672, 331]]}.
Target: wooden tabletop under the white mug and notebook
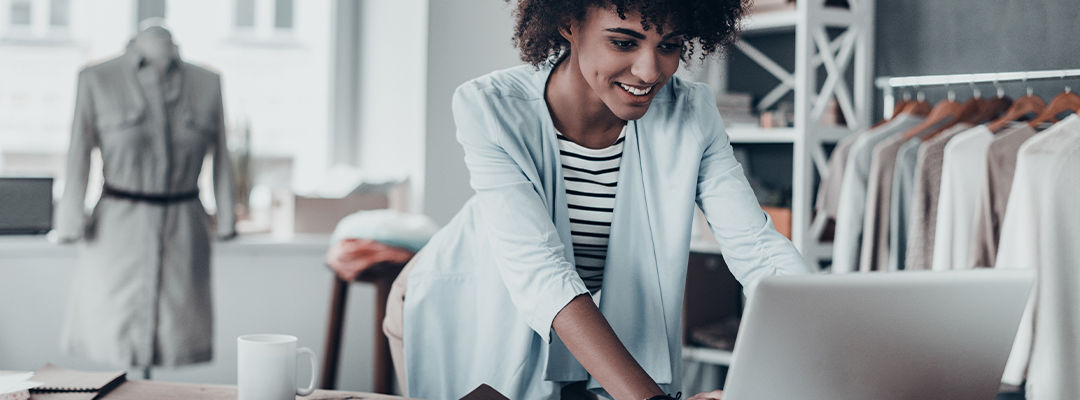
{"points": [[168, 391]]}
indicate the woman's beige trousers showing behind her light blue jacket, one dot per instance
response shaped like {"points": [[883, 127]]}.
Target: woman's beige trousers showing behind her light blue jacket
{"points": [[394, 327]]}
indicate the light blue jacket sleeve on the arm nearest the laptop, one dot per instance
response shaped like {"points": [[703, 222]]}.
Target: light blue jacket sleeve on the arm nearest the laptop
{"points": [[752, 247]]}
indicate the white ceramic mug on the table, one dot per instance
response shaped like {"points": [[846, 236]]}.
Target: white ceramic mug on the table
{"points": [[266, 368]]}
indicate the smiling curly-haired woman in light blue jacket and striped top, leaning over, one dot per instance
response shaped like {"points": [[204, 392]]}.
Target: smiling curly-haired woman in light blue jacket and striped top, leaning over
{"points": [[566, 270]]}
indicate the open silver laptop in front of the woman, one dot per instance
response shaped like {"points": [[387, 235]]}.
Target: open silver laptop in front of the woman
{"points": [[883, 337]]}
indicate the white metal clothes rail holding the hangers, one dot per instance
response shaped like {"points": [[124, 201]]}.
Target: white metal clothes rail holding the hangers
{"points": [[888, 85]]}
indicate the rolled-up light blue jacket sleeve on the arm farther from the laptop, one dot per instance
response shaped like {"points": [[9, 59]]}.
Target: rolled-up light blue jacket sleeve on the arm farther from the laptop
{"points": [[525, 246]]}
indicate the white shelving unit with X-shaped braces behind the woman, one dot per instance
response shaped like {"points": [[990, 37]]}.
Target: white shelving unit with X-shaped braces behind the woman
{"points": [[809, 25]]}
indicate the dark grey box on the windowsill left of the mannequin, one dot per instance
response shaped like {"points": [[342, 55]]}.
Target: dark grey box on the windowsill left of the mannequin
{"points": [[26, 206]]}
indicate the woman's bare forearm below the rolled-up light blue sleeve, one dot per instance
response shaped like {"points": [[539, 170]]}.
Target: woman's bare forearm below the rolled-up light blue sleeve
{"points": [[591, 340]]}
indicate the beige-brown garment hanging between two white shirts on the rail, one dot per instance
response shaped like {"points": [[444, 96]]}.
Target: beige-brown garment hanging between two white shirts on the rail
{"points": [[994, 197]]}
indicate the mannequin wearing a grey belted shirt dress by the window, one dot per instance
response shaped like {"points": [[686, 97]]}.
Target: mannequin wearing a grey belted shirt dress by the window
{"points": [[141, 295]]}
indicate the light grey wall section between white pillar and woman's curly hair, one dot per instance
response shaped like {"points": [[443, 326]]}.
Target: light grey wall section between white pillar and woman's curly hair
{"points": [[466, 39]]}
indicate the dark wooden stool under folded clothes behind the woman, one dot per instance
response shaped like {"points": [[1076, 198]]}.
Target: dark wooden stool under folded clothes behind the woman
{"points": [[382, 276]]}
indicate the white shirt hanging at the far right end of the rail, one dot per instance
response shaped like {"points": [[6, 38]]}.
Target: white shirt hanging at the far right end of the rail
{"points": [[1041, 232]]}
